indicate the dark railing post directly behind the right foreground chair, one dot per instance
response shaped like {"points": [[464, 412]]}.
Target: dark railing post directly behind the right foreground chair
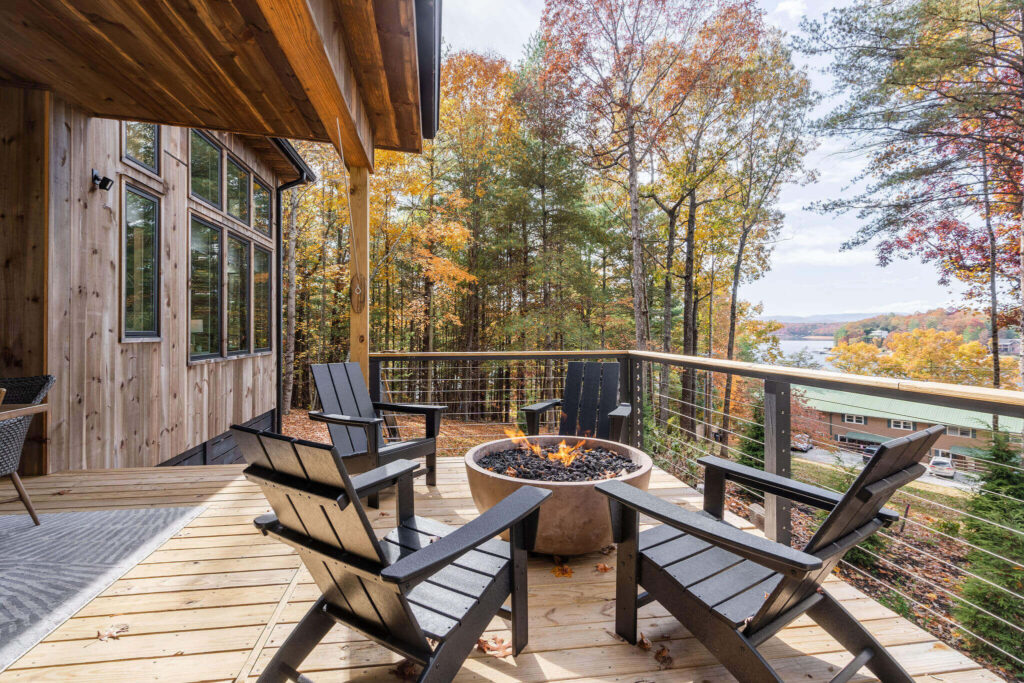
{"points": [[778, 457]]}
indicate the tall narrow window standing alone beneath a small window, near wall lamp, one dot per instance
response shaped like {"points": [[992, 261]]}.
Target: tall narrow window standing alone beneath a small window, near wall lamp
{"points": [[142, 264]]}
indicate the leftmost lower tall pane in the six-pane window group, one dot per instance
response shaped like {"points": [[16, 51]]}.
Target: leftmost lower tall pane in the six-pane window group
{"points": [[204, 312]]}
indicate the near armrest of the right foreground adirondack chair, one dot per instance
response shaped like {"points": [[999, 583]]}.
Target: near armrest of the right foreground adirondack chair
{"points": [[767, 553]]}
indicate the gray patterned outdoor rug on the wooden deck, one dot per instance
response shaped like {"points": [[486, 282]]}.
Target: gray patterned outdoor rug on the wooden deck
{"points": [[50, 573]]}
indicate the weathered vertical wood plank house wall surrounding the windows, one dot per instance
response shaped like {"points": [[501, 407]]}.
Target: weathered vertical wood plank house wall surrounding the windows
{"points": [[116, 403]]}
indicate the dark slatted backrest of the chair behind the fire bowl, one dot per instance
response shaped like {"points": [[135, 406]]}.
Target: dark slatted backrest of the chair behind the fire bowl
{"points": [[591, 394]]}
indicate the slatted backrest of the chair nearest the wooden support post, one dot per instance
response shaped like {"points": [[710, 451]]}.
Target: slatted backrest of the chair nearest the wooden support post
{"points": [[343, 392]]}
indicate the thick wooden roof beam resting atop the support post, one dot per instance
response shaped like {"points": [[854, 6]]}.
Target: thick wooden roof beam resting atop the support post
{"points": [[310, 33]]}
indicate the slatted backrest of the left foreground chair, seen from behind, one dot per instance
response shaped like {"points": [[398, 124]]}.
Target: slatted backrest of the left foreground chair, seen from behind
{"points": [[314, 498]]}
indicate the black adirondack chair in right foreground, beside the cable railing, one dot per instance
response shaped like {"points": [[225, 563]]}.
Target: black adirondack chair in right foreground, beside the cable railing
{"points": [[734, 590]]}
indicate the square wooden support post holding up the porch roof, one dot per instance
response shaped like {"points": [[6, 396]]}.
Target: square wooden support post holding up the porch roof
{"points": [[359, 295]]}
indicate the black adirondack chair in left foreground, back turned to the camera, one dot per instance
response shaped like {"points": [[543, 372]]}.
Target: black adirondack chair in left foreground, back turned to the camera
{"points": [[424, 581]]}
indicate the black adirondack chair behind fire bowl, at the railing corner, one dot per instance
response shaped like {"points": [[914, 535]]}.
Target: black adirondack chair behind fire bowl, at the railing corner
{"points": [[590, 404]]}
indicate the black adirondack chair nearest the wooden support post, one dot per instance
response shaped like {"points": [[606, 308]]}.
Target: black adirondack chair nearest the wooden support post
{"points": [[357, 426]]}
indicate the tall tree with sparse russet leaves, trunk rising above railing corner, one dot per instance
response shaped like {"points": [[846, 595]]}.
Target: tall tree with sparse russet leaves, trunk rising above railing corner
{"points": [[621, 60]]}
